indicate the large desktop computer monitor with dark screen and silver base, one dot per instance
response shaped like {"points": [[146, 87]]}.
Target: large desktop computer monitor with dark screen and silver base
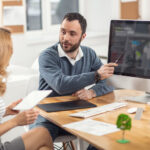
{"points": [[129, 46]]}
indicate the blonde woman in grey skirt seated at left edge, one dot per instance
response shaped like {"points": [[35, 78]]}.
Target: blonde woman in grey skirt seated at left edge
{"points": [[36, 139]]}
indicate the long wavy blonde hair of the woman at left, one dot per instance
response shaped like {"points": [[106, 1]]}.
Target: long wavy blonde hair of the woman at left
{"points": [[5, 54]]}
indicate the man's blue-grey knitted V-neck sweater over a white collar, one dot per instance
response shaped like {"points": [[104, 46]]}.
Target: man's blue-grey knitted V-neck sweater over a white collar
{"points": [[59, 75]]}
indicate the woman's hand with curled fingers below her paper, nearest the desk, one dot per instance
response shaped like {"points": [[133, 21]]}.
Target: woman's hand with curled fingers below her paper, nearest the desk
{"points": [[26, 117]]}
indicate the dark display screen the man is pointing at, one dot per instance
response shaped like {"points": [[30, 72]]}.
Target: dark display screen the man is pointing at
{"points": [[129, 46]]}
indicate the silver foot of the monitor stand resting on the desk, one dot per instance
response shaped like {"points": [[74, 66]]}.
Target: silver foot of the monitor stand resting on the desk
{"points": [[140, 99]]}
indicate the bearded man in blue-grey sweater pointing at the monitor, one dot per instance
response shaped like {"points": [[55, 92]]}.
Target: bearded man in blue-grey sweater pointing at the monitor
{"points": [[67, 68]]}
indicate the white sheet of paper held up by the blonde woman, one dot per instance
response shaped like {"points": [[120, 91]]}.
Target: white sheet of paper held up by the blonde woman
{"points": [[32, 99]]}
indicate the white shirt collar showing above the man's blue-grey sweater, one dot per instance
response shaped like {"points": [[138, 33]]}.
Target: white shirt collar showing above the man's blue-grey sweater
{"points": [[72, 61]]}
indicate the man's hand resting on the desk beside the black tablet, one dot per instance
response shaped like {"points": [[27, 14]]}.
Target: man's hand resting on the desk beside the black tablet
{"points": [[85, 94]]}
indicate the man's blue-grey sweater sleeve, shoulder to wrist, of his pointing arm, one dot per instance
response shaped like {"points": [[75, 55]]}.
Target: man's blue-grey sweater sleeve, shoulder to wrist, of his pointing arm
{"points": [[55, 78]]}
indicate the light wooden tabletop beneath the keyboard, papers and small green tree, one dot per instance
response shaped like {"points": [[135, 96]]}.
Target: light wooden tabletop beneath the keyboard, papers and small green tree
{"points": [[139, 135]]}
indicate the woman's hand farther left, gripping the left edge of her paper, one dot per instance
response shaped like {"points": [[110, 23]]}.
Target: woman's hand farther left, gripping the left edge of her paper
{"points": [[9, 109]]}
